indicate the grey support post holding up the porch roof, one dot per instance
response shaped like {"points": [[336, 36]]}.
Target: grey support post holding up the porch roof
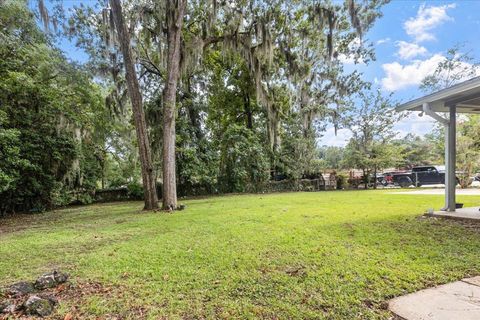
{"points": [[450, 165]]}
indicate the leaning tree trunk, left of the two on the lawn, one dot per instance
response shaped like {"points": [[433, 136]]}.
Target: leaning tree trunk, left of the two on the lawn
{"points": [[148, 174]]}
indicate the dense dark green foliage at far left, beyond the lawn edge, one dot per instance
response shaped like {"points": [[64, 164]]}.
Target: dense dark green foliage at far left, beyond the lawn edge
{"points": [[48, 111]]}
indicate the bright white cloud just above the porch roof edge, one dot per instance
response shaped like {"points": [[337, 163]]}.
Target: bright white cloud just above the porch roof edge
{"points": [[398, 76]]}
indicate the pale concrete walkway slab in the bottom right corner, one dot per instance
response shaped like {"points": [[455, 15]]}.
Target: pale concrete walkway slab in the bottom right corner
{"points": [[458, 300]]}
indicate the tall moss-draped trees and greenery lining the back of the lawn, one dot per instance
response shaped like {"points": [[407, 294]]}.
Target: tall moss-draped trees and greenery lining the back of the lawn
{"points": [[184, 97]]}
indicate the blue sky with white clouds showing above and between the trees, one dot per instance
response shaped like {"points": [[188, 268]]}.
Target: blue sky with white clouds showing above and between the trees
{"points": [[410, 39]]}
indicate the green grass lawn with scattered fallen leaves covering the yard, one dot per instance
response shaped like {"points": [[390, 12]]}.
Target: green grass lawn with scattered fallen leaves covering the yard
{"points": [[332, 255]]}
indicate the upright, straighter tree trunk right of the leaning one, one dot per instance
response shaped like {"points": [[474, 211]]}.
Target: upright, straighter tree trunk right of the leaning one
{"points": [[175, 13]]}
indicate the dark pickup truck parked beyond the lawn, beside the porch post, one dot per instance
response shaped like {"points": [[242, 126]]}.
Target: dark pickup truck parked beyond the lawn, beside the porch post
{"points": [[421, 175]]}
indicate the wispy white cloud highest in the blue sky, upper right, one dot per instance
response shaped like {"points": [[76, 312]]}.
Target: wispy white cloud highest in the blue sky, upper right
{"points": [[427, 19]]}
